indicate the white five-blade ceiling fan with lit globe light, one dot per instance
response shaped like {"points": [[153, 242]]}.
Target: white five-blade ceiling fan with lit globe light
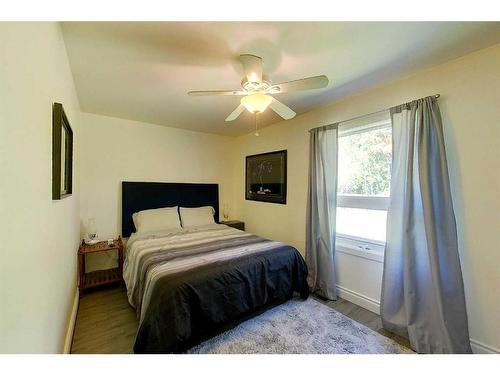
{"points": [[257, 89]]}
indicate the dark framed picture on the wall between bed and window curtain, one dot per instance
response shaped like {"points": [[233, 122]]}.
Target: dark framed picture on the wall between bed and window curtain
{"points": [[265, 177]]}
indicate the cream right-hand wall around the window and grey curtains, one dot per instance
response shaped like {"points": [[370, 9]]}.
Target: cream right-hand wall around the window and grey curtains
{"points": [[470, 93]]}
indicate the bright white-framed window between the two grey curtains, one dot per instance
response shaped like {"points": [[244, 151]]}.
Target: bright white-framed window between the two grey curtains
{"points": [[364, 176]]}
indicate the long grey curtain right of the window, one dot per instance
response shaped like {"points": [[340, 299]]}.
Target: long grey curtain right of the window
{"points": [[422, 289]]}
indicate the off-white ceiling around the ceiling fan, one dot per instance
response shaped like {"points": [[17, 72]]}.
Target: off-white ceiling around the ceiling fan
{"points": [[143, 71]]}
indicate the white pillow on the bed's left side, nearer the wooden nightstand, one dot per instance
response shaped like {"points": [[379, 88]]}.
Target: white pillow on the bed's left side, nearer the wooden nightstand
{"points": [[166, 218]]}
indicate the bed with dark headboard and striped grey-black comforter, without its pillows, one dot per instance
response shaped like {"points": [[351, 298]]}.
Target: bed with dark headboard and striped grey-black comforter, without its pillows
{"points": [[190, 284]]}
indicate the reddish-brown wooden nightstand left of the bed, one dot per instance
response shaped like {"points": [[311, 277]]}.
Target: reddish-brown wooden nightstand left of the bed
{"points": [[101, 277]]}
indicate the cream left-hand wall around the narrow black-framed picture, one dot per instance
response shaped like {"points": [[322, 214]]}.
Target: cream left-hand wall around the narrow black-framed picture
{"points": [[39, 236]]}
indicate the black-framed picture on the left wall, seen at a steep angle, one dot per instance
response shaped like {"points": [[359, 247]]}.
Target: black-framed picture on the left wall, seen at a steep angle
{"points": [[62, 154]]}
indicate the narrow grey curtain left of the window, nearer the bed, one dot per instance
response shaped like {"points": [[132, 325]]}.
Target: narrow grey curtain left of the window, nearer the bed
{"points": [[321, 208]]}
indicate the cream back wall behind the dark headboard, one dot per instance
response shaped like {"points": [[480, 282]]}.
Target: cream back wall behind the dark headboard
{"points": [[116, 150]]}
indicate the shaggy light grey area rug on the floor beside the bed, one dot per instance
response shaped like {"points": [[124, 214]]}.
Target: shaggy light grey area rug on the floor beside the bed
{"points": [[300, 327]]}
